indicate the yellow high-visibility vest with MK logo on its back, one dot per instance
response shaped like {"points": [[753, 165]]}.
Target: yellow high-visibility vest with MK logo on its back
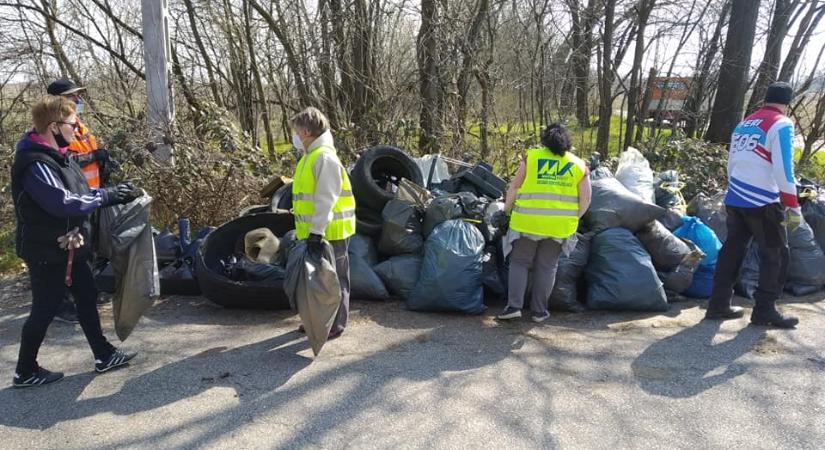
{"points": [[547, 203]]}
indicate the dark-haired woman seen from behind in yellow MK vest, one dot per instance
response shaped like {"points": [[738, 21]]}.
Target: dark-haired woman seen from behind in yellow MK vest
{"points": [[550, 192]]}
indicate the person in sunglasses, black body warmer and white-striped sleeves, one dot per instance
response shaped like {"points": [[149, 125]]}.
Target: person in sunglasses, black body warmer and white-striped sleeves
{"points": [[52, 203]]}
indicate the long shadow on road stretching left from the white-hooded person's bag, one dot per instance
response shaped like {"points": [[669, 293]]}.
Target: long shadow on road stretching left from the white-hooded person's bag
{"points": [[239, 368]]}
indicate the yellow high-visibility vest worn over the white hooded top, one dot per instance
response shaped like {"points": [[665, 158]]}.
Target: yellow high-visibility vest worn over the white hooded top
{"points": [[342, 225]]}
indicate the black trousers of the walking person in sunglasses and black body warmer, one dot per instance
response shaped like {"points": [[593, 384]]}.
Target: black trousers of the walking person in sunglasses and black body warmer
{"points": [[48, 291]]}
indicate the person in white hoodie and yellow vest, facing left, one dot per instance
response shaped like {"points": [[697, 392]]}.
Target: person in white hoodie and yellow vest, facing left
{"points": [[322, 200]]}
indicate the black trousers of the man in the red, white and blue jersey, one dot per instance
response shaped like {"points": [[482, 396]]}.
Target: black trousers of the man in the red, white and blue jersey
{"points": [[763, 225]]}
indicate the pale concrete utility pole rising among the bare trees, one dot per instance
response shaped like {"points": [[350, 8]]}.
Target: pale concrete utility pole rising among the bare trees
{"points": [[157, 56]]}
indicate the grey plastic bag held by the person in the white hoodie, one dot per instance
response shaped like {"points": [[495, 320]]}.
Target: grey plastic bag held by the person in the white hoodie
{"points": [[313, 289]]}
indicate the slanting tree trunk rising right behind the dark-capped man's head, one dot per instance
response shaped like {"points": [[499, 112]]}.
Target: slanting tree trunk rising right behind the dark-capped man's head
{"points": [[769, 67]]}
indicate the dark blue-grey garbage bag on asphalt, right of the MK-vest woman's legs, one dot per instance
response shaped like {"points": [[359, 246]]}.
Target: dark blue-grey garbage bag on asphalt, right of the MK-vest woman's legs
{"points": [[621, 276]]}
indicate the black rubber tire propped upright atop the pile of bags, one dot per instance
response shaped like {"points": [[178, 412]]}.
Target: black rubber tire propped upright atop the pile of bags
{"points": [[376, 163]]}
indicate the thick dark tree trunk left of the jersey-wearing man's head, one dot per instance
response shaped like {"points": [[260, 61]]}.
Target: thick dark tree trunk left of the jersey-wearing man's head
{"points": [[733, 75]]}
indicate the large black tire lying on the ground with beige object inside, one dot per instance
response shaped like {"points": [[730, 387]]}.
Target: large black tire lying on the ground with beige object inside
{"points": [[228, 239]]}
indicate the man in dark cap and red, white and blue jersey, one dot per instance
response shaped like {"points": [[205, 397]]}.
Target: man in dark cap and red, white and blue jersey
{"points": [[761, 205]]}
